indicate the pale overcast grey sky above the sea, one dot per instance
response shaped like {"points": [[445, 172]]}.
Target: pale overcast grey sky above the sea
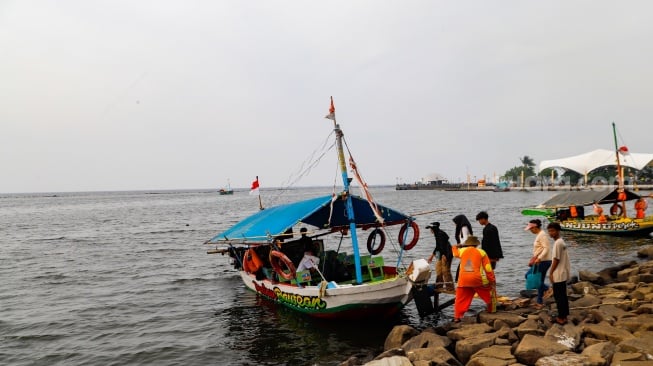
{"points": [[149, 95]]}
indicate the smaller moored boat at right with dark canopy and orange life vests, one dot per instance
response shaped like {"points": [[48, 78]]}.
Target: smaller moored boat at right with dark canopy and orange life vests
{"points": [[568, 208]]}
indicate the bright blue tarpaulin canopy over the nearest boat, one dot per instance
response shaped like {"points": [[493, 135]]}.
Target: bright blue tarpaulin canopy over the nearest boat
{"points": [[318, 212]]}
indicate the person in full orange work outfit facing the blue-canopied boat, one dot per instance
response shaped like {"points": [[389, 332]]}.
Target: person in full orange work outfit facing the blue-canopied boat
{"points": [[476, 277]]}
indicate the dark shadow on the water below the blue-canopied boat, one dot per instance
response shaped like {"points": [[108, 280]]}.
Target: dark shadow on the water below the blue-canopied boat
{"points": [[258, 328]]}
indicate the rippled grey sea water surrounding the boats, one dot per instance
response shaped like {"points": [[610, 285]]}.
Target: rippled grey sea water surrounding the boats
{"points": [[122, 278]]}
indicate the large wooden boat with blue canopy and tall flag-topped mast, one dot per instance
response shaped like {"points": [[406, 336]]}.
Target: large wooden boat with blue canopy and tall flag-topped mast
{"points": [[344, 284]]}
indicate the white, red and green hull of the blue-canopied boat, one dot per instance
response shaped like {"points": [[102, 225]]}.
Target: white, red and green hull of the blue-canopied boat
{"points": [[382, 299]]}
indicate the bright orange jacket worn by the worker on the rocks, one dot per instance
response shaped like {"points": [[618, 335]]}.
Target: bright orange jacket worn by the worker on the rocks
{"points": [[475, 267]]}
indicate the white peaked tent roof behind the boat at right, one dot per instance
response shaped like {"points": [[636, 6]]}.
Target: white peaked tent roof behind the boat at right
{"points": [[585, 163]]}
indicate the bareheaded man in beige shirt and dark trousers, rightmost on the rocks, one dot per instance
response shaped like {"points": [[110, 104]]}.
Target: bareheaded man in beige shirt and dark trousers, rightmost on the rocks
{"points": [[560, 273]]}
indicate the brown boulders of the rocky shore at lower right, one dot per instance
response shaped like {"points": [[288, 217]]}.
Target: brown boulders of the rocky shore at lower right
{"points": [[610, 323]]}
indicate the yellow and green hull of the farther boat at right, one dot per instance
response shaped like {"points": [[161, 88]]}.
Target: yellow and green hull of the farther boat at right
{"points": [[620, 227]]}
